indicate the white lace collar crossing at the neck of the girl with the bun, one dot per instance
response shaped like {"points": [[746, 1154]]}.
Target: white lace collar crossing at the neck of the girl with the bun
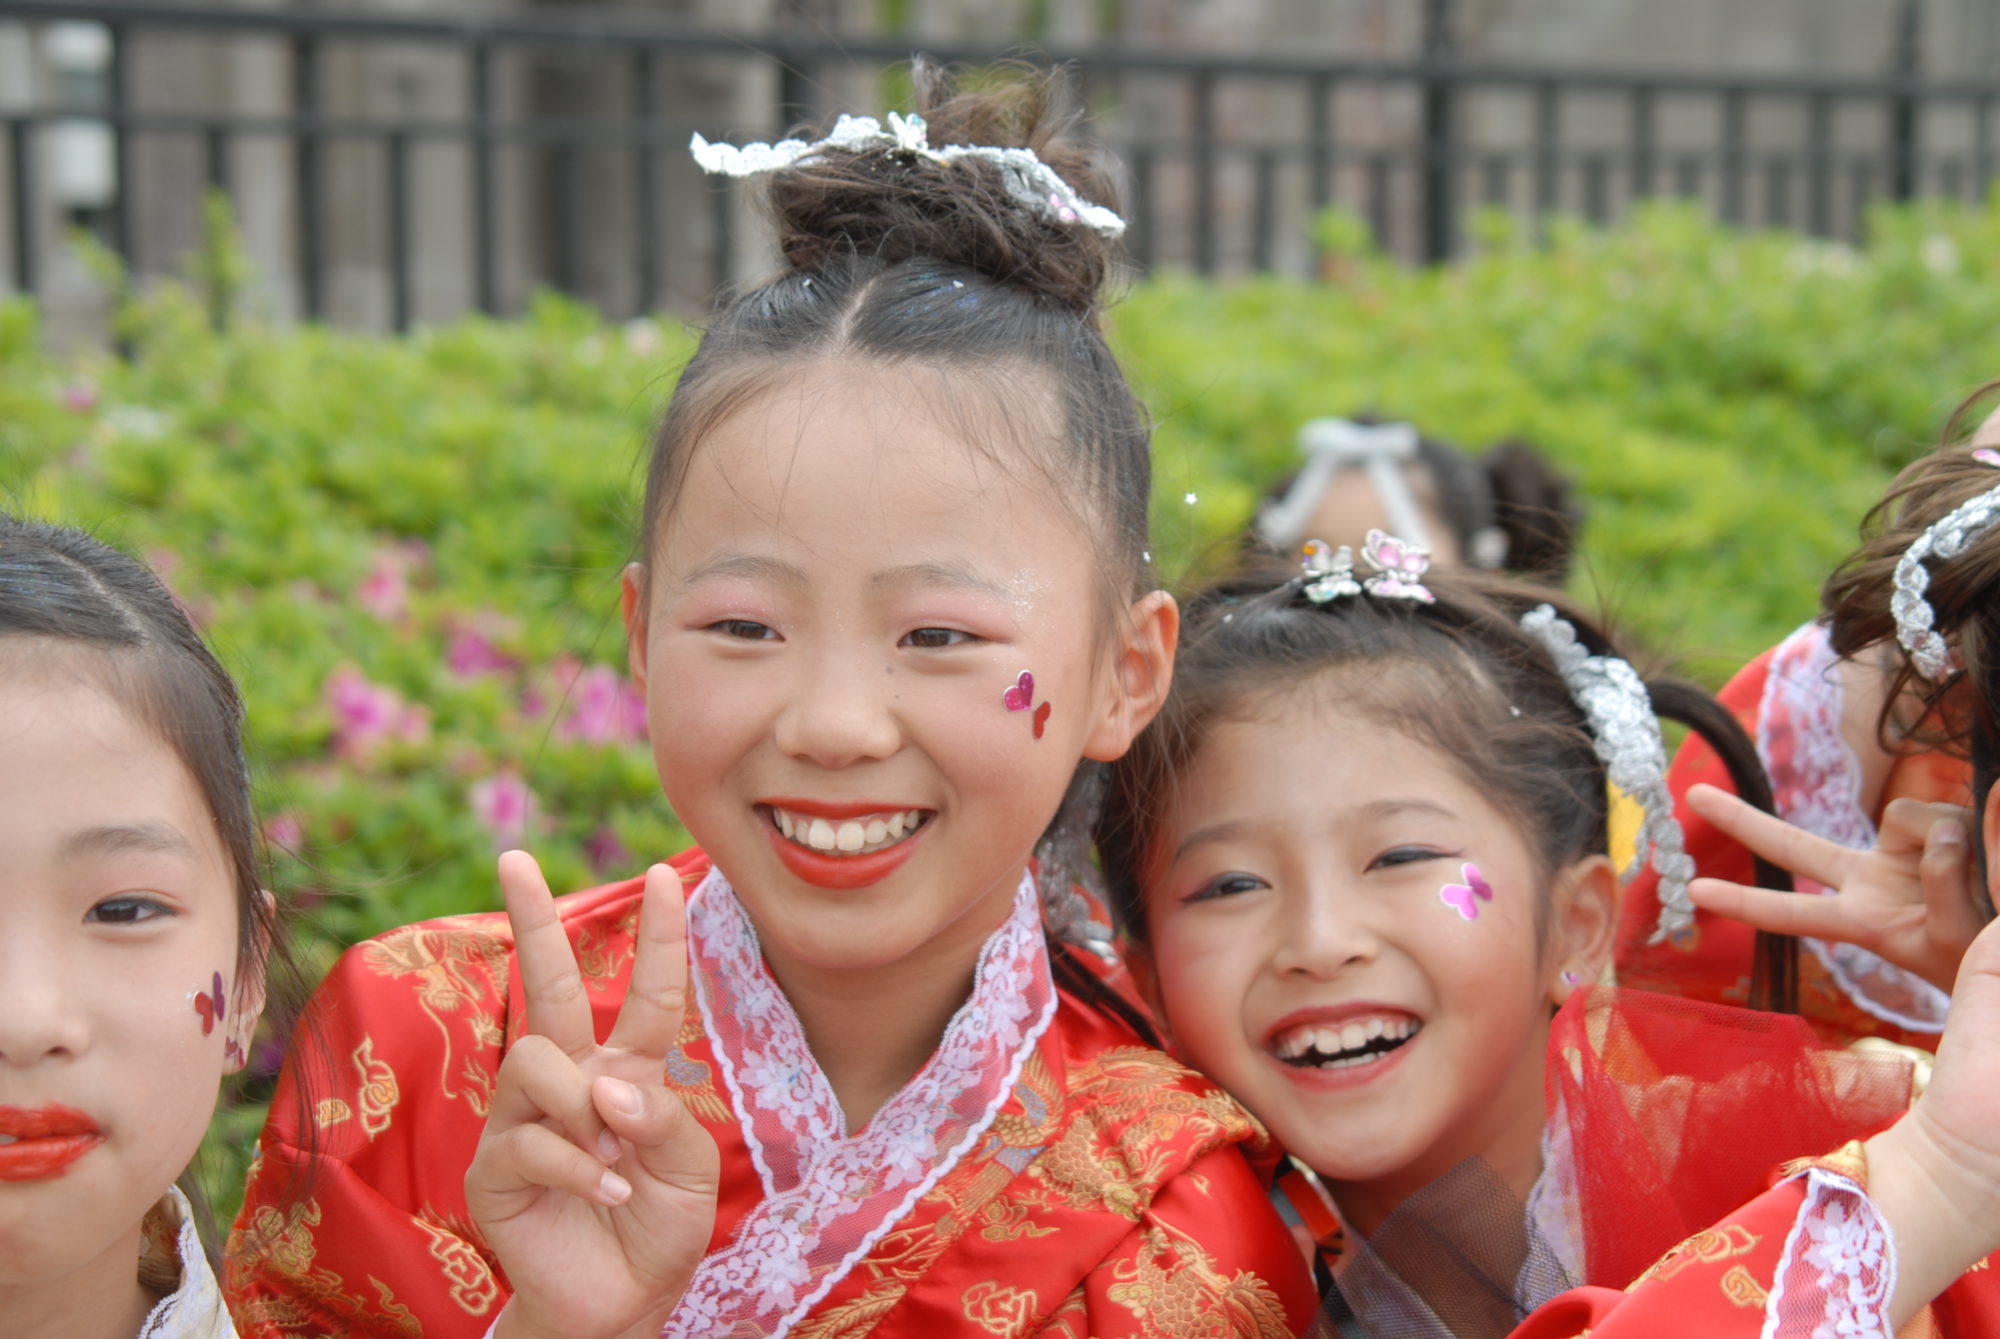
{"points": [[831, 1196]]}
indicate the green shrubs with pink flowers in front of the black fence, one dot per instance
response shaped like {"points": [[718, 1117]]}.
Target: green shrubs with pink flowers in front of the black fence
{"points": [[409, 549]]}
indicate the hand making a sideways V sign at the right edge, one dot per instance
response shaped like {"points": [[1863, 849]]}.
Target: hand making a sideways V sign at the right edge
{"points": [[1913, 900]]}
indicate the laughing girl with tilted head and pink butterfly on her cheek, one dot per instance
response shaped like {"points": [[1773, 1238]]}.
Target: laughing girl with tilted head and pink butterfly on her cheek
{"points": [[1363, 856]]}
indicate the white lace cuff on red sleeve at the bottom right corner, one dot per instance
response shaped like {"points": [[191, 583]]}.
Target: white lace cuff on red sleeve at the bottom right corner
{"points": [[1839, 1268]]}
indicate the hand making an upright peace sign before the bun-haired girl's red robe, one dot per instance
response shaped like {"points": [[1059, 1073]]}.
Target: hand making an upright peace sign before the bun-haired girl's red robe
{"points": [[593, 1184]]}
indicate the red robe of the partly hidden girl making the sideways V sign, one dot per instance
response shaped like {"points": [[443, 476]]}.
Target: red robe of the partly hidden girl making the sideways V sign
{"points": [[1791, 706]]}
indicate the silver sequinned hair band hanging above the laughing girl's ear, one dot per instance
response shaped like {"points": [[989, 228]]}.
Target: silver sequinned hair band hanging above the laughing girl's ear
{"points": [[1627, 736]]}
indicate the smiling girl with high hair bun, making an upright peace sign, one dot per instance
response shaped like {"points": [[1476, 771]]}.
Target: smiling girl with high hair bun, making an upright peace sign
{"points": [[893, 613]]}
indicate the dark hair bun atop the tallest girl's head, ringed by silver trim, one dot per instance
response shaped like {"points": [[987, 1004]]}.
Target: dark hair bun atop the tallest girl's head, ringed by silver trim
{"points": [[893, 207]]}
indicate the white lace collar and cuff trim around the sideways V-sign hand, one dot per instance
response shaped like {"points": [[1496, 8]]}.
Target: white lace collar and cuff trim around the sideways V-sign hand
{"points": [[1817, 784]]}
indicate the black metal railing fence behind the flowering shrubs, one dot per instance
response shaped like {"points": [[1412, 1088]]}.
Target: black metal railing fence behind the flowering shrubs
{"points": [[561, 159]]}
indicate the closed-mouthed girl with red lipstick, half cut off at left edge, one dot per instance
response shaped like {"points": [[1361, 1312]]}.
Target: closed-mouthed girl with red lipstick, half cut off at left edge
{"points": [[135, 940]]}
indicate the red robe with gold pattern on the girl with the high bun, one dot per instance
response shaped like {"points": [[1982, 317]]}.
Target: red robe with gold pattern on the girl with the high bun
{"points": [[1109, 1196]]}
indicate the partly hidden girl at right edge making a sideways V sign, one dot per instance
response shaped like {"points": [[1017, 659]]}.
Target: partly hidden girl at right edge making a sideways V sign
{"points": [[1855, 766]]}
